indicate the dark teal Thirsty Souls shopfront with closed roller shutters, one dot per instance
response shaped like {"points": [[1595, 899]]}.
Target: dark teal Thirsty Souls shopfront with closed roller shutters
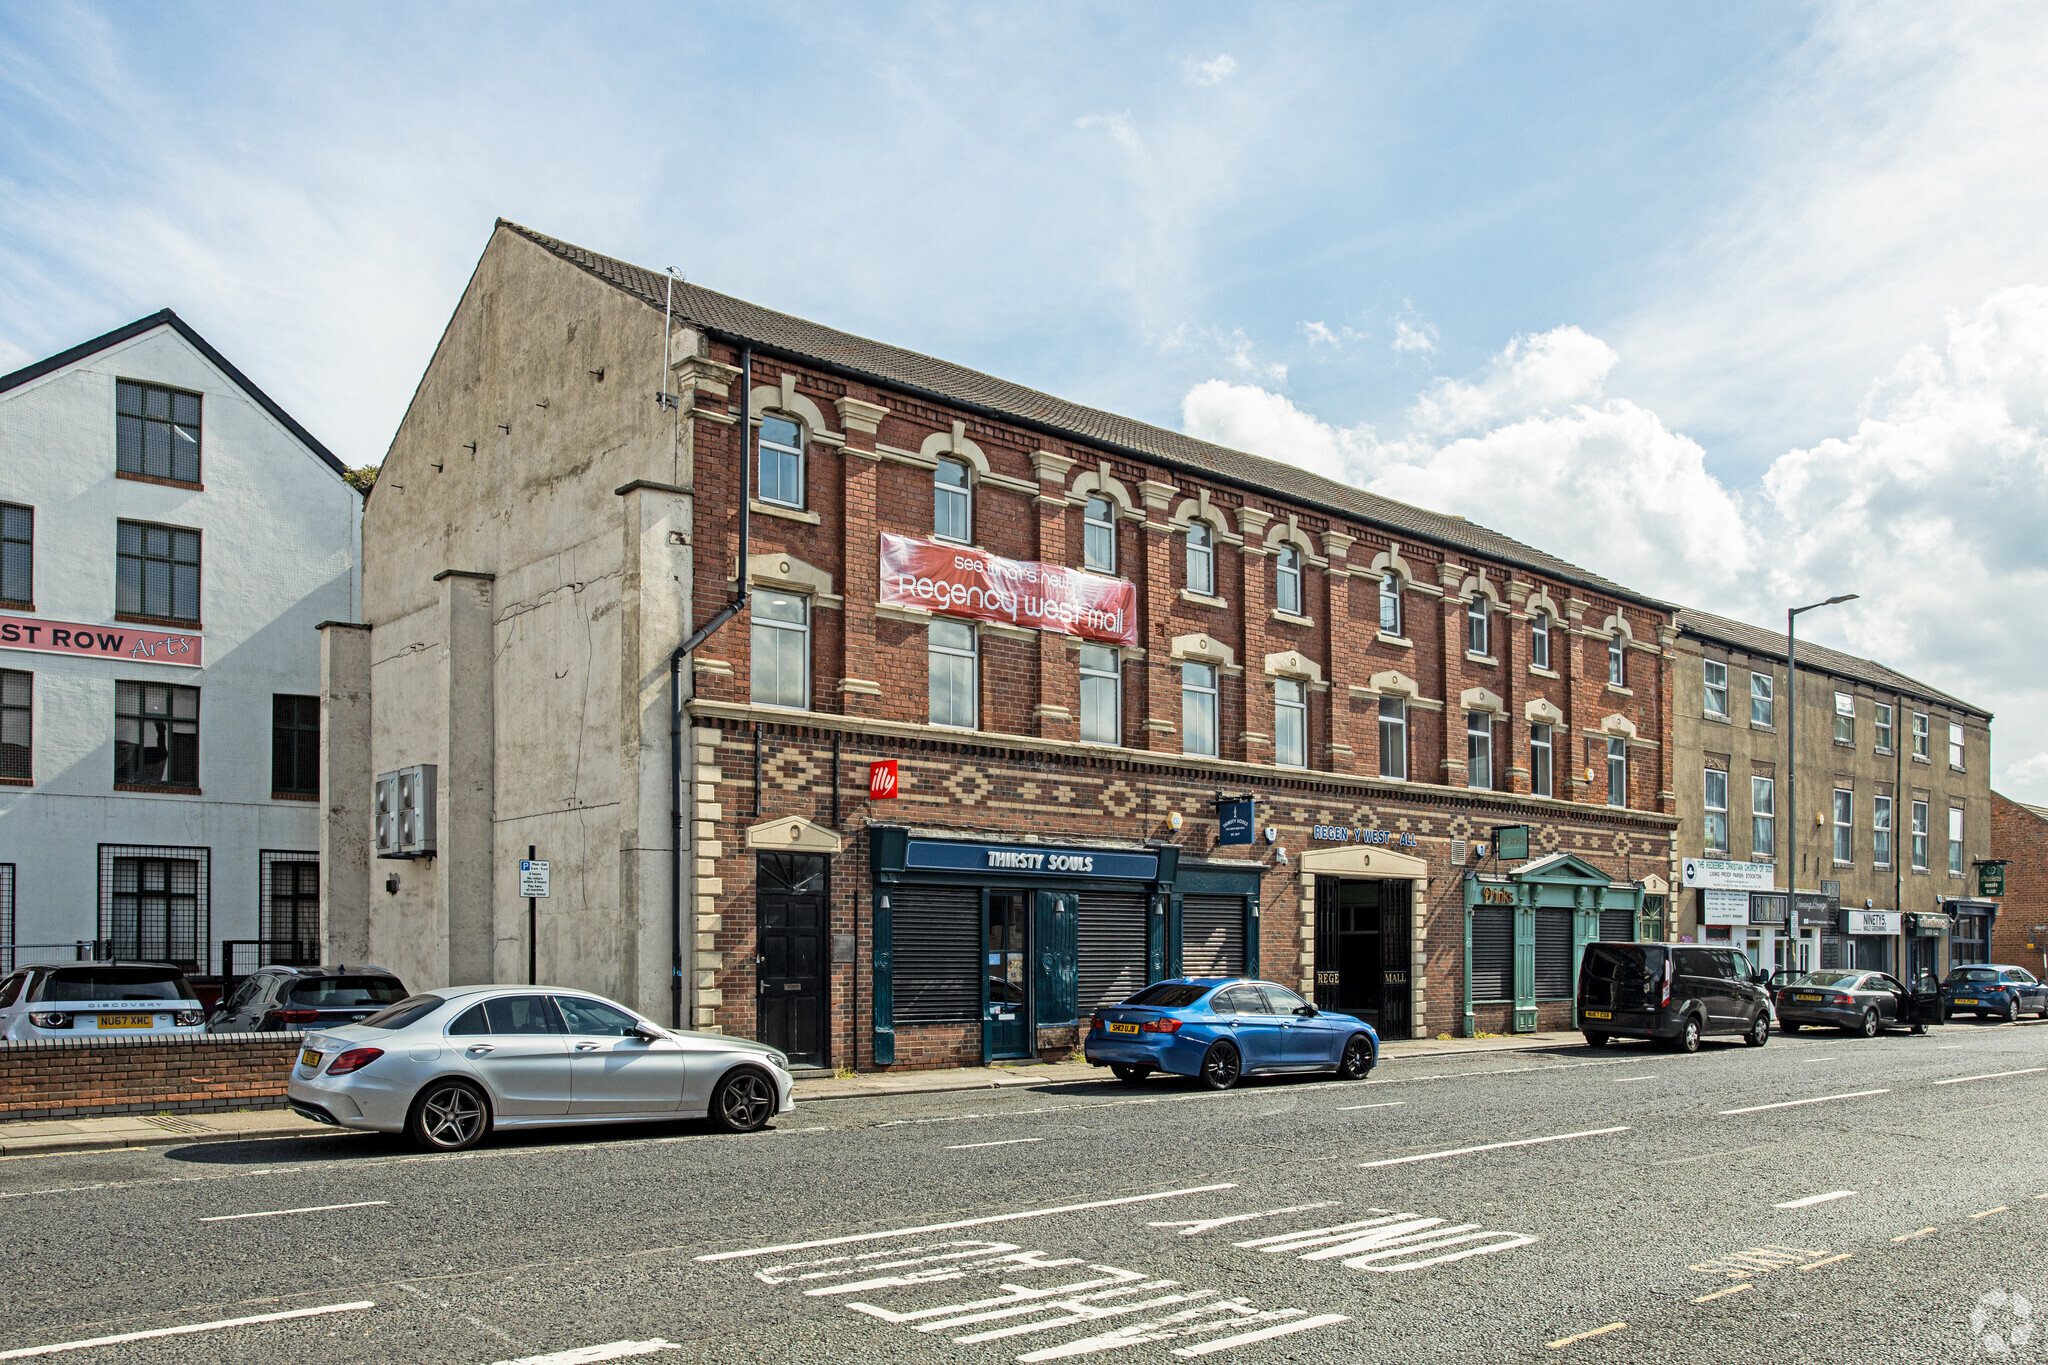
{"points": [[1005, 949]]}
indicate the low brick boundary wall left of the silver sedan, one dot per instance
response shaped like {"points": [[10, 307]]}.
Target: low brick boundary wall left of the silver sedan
{"points": [[77, 1077]]}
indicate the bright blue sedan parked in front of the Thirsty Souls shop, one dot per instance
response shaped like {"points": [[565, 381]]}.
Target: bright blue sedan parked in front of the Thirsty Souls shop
{"points": [[1226, 1028]]}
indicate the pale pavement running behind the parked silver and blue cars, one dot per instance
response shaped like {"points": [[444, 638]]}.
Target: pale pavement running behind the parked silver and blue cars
{"points": [[140, 1131]]}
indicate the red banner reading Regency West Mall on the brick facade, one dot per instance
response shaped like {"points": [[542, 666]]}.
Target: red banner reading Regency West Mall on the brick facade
{"points": [[1023, 592]]}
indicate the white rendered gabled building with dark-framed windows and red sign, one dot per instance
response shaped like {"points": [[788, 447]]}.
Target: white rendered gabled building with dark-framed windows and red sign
{"points": [[169, 543]]}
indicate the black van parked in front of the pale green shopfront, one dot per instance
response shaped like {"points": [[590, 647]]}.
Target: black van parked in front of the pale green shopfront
{"points": [[1674, 994]]}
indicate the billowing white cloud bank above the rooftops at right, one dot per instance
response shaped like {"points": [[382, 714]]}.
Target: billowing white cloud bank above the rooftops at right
{"points": [[1930, 509]]}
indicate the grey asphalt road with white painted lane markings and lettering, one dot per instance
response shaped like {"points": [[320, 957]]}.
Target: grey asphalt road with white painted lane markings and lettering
{"points": [[1629, 1198]]}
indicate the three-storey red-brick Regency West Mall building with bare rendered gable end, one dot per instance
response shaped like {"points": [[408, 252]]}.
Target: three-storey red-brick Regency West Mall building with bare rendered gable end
{"points": [[1388, 685]]}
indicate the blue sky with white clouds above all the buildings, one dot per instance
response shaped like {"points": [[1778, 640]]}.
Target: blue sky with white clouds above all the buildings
{"points": [[1742, 306]]}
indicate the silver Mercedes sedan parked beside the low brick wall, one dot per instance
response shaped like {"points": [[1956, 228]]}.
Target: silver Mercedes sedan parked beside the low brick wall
{"points": [[450, 1067]]}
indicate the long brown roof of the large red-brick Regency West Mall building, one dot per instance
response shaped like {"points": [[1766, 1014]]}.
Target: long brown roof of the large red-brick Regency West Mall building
{"points": [[894, 367]]}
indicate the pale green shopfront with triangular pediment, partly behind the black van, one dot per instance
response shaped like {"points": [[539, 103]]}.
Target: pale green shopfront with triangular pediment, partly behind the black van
{"points": [[1527, 930]]}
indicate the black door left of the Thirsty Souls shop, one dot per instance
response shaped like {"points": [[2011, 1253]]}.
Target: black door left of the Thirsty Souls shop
{"points": [[790, 904]]}
